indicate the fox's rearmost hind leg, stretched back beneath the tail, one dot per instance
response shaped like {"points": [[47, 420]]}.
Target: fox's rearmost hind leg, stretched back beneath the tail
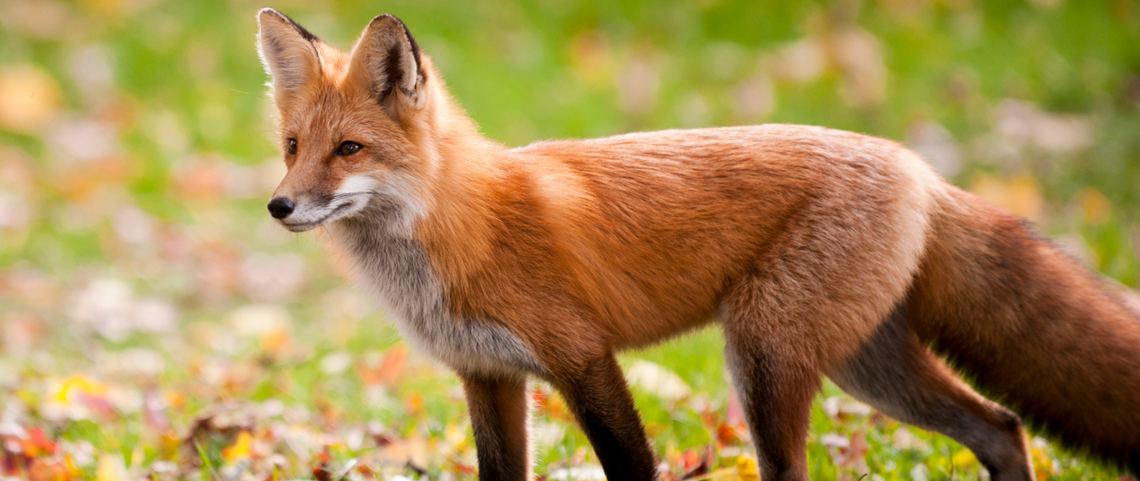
{"points": [[897, 374]]}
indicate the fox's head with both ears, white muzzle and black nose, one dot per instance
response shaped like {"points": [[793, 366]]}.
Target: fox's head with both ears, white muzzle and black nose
{"points": [[355, 128]]}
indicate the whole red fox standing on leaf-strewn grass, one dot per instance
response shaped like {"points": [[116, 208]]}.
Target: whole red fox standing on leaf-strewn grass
{"points": [[820, 252]]}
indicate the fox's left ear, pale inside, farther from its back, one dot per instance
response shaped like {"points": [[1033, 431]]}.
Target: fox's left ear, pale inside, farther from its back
{"points": [[288, 52]]}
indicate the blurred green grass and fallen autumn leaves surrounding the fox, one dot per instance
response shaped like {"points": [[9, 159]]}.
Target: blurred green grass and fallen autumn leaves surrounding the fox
{"points": [[156, 323]]}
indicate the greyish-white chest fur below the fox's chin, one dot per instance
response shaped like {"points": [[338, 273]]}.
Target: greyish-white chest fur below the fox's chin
{"points": [[392, 265]]}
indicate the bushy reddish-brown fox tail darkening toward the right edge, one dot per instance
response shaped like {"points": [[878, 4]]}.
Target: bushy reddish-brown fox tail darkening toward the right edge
{"points": [[1032, 329]]}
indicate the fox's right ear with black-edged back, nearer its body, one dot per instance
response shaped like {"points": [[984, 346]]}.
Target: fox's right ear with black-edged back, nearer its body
{"points": [[388, 60]]}
